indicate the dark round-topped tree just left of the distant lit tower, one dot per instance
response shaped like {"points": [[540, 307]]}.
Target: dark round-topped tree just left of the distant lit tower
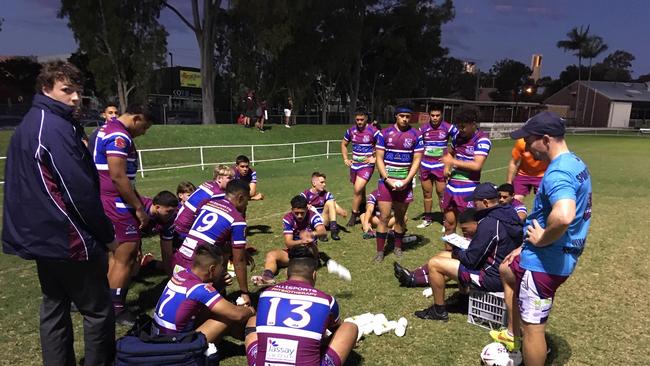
{"points": [[510, 77]]}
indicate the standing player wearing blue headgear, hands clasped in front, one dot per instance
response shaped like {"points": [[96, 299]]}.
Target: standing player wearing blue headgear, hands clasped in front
{"points": [[399, 151]]}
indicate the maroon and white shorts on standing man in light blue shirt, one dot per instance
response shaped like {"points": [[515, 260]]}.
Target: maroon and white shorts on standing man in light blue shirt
{"points": [[535, 291]]}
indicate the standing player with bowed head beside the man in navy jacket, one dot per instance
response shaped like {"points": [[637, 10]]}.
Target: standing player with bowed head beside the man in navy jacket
{"points": [[116, 160]]}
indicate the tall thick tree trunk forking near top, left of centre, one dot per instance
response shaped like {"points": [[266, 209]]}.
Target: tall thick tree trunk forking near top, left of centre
{"points": [[204, 25]]}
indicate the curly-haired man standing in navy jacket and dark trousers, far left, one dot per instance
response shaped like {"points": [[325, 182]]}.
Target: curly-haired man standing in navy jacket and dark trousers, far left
{"points": [[53, 214]]}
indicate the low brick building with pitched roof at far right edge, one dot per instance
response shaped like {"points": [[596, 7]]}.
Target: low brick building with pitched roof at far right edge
{"points": [[603, 104]]}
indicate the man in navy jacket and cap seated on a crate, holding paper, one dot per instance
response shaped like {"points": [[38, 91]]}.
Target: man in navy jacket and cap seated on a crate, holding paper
{"points": [[498, 233]]}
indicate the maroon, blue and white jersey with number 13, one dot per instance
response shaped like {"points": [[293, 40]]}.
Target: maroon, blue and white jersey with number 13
{"points": [[291, 320]]}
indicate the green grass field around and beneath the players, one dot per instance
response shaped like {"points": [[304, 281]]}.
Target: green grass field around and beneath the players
{"points": [[599, 315]]}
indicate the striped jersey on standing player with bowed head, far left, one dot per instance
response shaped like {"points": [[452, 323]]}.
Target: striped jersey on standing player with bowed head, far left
{"points": [[114, 140]]}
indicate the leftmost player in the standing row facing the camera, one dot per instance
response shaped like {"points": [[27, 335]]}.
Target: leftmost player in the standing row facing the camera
{"points": [[363, 137]]}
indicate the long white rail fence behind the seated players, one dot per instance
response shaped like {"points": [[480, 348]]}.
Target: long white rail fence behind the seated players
{"points": [[252, 149]]}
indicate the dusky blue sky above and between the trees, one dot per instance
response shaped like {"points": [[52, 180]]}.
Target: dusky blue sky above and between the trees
{"points": [[483, 31]]}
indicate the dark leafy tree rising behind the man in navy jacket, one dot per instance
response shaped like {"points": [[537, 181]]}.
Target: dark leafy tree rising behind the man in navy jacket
{"points": [[123, 41]]}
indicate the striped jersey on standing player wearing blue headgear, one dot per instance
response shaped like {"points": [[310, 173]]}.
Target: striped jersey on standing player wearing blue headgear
{"points": [[399, 148]]}
